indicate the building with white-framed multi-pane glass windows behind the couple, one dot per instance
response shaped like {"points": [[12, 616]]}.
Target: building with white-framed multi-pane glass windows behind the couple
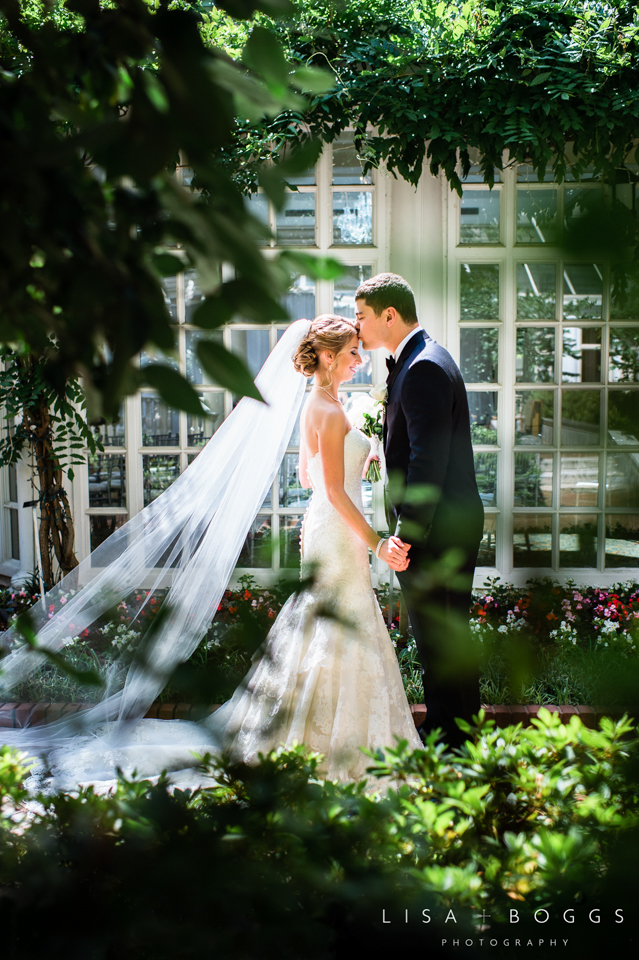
{"points": [[551, 369]]}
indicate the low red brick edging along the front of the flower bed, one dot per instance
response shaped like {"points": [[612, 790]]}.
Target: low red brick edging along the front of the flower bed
{"points": [[35, 714]]}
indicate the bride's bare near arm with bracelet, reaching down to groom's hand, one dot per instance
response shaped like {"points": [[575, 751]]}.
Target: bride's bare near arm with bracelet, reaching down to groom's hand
{"points": [[330, 434]]}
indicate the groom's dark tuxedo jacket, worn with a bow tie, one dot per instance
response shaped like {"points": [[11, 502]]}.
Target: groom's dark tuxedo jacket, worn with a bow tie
{"points": [[427, 442]]}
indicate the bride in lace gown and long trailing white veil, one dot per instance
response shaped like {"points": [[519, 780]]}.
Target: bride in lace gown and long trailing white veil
{"points": [[326, 675]]}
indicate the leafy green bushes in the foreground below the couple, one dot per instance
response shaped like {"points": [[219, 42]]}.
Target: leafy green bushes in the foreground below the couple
{"points": [[273, 862]]}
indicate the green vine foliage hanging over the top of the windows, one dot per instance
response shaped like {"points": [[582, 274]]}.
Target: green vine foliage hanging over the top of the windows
{"points": [[433, 79]]}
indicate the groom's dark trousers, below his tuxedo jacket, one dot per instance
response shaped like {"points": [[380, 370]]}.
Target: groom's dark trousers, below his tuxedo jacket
{"points": [[439, 615]]}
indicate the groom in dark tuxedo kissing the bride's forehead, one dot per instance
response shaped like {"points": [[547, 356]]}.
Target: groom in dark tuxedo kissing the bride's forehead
{"points": [[429, 458]]}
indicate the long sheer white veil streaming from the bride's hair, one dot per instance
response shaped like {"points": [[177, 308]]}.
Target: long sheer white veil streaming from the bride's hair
{"points": [[195, 530]]}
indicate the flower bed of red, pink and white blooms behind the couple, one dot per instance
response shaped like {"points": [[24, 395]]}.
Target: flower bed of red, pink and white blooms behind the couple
{"points": [[544, 643]]}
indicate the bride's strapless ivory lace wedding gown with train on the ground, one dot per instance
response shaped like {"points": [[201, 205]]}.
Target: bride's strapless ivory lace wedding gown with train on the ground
{"points": [[326, 675]]}
